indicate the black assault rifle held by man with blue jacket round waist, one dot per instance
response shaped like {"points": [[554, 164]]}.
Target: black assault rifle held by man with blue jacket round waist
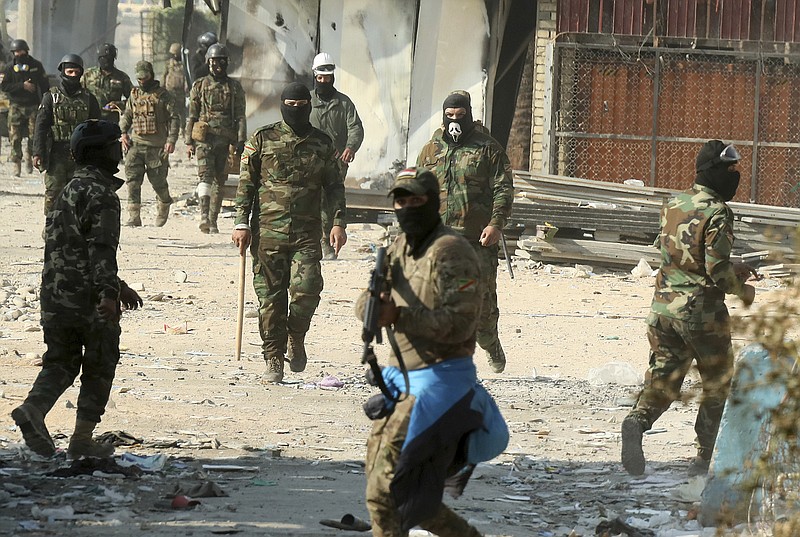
{"points": [[372, 331]]}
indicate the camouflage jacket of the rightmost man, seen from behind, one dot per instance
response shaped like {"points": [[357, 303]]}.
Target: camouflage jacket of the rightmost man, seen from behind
{"points": [[695, 274]]}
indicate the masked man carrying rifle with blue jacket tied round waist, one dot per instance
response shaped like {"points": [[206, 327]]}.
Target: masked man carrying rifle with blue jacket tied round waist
{"points": [[429, 441]]}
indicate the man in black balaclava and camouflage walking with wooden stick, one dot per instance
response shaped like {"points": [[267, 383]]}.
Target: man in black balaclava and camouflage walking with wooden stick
{"points": [[287, 169]]}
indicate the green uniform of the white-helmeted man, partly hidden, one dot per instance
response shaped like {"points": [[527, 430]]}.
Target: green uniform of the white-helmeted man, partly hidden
{"points": [[338, 118]]}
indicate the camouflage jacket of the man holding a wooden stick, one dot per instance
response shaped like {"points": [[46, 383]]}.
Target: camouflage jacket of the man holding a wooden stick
{"points": [[282, 179]]}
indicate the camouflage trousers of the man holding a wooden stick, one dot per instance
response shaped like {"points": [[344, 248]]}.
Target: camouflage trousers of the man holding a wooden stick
{"points": [[293, 269]]}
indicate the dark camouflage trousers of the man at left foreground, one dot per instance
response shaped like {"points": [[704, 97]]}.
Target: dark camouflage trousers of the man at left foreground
{"points": [[93, 351]]}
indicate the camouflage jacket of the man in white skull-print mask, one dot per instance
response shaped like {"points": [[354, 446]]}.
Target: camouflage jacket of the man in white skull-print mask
{"points": [[475, 181]]}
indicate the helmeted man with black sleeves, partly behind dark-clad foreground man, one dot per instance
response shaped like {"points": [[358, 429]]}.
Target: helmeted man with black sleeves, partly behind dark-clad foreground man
{"points": [[63, 107]]}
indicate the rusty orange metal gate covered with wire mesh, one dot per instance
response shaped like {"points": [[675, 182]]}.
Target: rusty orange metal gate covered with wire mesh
{"points": [[624, 112]]}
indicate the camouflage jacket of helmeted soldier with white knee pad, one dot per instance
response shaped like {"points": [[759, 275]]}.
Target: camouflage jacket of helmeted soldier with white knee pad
{"points": [[221, 104]]}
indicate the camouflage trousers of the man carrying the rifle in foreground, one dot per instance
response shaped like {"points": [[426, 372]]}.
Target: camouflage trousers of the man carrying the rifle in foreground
{"points": [[383, 452]]}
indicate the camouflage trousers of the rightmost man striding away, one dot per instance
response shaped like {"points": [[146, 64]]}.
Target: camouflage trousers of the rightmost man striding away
{"points": [[674, 344]]}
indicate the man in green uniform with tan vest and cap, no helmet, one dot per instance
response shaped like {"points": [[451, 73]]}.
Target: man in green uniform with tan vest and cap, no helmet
{"points": [[150, 111]]}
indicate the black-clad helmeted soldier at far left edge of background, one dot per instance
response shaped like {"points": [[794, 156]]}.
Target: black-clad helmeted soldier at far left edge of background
{"points": [[24, 81]]}
